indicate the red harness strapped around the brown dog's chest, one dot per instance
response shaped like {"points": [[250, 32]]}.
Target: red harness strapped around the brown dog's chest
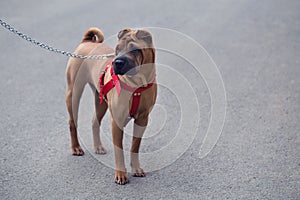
{"points": [[115, 82]]}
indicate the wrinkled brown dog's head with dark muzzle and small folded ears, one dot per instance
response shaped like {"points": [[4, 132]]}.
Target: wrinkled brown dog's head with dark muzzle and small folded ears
{"points": [[134, 49]]}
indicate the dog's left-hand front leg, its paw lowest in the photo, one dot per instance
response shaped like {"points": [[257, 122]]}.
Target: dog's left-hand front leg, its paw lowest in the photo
{"points": [[120, 172]]}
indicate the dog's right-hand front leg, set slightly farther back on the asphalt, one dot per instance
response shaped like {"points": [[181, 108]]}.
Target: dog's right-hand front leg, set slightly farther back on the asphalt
{"points": [[138, 132]]}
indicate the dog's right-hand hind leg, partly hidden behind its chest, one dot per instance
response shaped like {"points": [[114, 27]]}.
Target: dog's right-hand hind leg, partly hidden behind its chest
{"points": [[100, 110]]}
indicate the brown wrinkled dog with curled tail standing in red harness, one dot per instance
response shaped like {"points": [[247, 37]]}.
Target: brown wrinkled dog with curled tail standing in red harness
{"points": [[124, 84]]}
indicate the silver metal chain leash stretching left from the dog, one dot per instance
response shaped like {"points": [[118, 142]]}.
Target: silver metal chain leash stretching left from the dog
{"points": [[49, 48]]}
